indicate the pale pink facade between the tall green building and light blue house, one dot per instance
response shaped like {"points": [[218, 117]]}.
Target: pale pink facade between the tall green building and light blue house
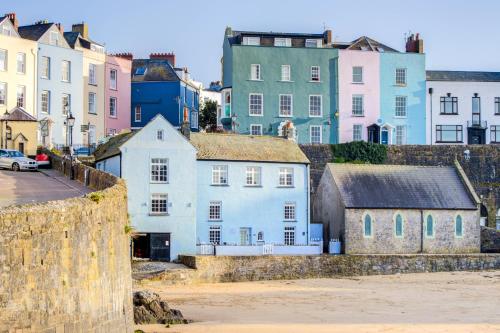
{"points": [[359, 93]]}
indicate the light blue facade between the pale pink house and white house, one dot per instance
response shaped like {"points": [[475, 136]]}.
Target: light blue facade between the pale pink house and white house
{"points": [[414, 90]]}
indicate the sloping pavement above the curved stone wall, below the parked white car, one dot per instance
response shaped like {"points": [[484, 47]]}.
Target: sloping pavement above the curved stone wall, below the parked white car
{"points": [[29, 187]]}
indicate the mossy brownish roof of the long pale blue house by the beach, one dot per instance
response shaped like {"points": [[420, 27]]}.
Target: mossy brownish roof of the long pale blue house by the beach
{"points": [[235, 147]]}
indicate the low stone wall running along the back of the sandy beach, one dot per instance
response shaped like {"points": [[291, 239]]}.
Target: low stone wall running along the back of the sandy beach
{"points": [[234, 269]]}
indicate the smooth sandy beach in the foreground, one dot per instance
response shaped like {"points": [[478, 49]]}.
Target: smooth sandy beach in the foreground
{"points": [[437, 302]]}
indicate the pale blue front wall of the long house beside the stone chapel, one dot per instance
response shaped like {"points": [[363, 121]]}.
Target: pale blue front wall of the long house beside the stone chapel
{"points": [[258, 208]]}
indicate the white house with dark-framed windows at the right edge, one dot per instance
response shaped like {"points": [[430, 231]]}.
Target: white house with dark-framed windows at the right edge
{"points": [[463, 107]]}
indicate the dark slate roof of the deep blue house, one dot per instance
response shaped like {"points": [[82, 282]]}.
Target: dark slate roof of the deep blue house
{"points": [[155, 70]]}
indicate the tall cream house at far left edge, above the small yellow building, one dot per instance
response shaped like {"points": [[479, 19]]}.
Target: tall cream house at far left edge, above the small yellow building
{"points": [[18, 65]]}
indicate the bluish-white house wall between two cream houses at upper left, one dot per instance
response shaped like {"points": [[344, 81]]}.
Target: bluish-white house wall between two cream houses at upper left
{"points": [[57, 88]]}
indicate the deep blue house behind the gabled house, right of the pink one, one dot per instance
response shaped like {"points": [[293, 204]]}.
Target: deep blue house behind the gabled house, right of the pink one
{"points": [[160, 88]]}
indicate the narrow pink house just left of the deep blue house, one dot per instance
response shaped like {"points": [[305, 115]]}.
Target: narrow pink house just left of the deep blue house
{"points": [[117, 101]]}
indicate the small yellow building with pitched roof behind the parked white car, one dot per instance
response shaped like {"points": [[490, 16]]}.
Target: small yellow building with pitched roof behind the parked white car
{"points": [[18, 130]]}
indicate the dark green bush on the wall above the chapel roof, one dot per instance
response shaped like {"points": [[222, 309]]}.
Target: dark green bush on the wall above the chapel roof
{"points": [[359, 152]]}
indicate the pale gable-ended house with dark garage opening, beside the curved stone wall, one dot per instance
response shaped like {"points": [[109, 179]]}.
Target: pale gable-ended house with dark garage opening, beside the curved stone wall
{"points": [[159, 167]]}
